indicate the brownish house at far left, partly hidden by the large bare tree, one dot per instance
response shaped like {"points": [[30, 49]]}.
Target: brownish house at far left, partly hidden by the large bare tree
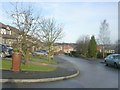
{"points": [[10, 35]]}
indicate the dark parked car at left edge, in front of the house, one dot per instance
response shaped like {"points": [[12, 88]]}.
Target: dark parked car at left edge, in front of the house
{"points": [[5, 50]]}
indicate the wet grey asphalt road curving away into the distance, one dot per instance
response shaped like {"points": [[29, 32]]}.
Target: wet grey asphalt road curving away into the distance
{"points": [[93, 74]]}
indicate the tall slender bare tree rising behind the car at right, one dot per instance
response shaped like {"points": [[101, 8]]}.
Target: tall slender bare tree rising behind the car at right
{"points": [[104, 35]]}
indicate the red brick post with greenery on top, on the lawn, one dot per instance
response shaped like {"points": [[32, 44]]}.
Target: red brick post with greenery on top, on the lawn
{"points": [[16, 61]]}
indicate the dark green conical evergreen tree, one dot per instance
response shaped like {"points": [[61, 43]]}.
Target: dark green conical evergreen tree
{"points": [[92, 48]]}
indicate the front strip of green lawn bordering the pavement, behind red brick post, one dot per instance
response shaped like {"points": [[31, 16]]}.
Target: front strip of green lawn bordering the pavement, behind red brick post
{"points": [[6, 65]]}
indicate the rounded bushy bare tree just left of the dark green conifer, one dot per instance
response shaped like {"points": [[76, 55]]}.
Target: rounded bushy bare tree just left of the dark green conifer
{"points": [[82, 45]]}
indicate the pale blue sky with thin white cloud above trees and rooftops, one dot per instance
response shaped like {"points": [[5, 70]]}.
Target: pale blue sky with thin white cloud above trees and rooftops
{"points": [[78, 18]]}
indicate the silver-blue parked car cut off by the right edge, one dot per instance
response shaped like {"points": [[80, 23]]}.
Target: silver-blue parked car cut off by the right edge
{"points": [[113, 59]]}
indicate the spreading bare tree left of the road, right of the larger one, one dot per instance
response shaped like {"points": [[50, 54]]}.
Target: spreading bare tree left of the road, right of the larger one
{"points": [[49, 32]]}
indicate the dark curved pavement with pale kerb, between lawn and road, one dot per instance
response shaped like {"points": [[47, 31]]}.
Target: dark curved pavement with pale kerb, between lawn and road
{"points": [[65, 70]]}
